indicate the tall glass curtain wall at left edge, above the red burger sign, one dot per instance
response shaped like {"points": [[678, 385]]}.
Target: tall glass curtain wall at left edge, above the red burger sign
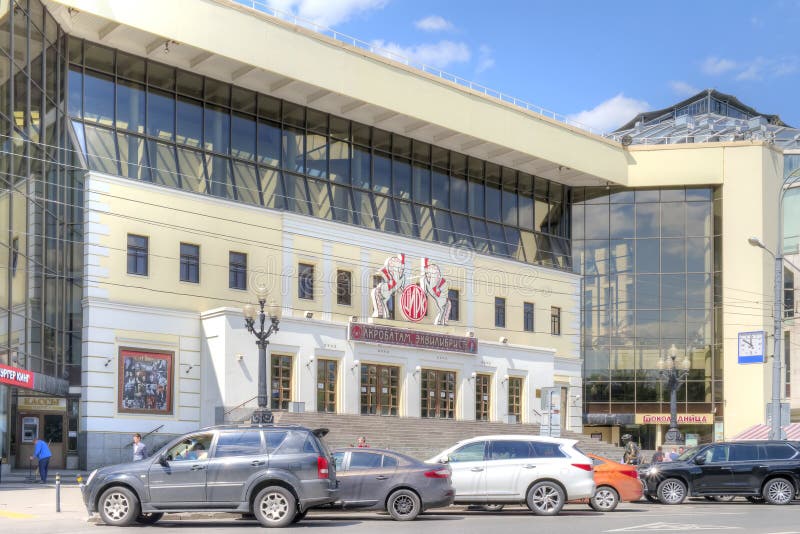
{"points": [[40, 199]]}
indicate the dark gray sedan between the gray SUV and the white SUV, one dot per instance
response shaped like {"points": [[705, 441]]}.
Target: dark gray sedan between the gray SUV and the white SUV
{"points": [[378, 479]]}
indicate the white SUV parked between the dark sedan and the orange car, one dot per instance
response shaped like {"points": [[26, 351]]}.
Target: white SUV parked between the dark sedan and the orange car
{"points": [[542, 472]]}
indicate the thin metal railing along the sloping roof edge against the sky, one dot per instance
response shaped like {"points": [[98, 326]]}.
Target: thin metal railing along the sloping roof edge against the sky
{"points": [[262, 7]]}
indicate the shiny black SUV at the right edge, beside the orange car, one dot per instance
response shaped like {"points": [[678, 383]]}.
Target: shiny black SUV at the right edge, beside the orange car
{"points": [[758, 470]]}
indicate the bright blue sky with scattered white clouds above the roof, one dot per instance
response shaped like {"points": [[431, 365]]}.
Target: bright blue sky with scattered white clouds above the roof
{"points": [[600, 62]]}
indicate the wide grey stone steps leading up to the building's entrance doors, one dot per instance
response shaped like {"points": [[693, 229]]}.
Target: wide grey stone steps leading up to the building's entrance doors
{"points": [[422, 438]]}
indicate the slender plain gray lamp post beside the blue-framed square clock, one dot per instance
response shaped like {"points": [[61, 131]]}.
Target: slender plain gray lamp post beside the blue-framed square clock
{"points": [[775, 416]]}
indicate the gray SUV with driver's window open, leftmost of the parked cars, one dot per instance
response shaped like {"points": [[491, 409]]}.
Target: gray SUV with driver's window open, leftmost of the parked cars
{"points": [[276, 473]]}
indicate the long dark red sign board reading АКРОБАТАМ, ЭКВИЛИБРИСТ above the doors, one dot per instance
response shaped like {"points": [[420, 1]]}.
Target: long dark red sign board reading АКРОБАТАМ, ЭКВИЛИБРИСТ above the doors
{"points": [[370, 333]]}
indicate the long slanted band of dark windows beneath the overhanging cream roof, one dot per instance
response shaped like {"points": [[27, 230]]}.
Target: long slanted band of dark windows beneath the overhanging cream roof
{"points": [[147, 121]]}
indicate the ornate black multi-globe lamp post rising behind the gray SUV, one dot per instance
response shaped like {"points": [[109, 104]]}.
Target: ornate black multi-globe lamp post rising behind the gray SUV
{"points": [[256, 323]]}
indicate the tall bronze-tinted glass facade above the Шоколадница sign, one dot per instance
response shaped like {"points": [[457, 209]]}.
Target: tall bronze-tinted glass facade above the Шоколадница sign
{"points": [[651, 266]]}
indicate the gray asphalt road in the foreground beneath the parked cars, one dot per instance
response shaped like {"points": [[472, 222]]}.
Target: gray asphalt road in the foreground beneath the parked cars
{"points": [[694, 515]]}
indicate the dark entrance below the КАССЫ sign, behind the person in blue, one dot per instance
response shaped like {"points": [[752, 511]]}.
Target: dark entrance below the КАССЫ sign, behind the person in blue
{"points": [[51, 427]]}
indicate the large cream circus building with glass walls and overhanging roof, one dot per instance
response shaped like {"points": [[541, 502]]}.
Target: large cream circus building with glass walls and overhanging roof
{"points": [[461, 256]]}
